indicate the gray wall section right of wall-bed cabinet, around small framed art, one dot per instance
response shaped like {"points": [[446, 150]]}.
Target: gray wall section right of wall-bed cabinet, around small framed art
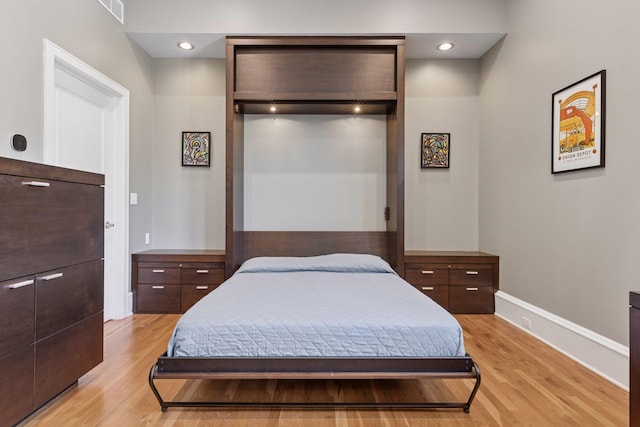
{"points": [[441, 205]]}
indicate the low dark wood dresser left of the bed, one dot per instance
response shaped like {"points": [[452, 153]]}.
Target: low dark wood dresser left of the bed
{"points": [[171, 281]]}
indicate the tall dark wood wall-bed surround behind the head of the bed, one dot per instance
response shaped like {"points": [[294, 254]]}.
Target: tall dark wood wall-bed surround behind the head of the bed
{"points": [[314, 75]]}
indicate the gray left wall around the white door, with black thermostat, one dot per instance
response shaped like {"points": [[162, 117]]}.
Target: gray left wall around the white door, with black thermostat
{"points": [[88, 31]]}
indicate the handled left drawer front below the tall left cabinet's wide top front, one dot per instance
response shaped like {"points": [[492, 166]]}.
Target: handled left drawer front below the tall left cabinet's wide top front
{"points": [[17, 305]]}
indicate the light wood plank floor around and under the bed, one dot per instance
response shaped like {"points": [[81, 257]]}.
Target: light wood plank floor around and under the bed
{"points": [[524, 383]]}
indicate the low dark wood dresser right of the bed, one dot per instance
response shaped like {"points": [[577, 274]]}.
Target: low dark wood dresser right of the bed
{"points": [[461, 282]]}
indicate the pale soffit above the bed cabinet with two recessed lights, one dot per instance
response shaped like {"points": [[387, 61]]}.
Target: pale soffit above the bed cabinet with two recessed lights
{"points": [[473, 26]]}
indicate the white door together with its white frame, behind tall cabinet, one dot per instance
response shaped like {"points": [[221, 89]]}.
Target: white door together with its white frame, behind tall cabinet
{"points": [[86, 128]]}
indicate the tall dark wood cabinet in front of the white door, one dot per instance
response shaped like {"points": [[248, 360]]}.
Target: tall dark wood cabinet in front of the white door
{"points": [[51, 282]]}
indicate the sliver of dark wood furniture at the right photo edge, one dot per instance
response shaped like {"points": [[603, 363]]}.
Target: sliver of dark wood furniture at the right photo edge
{"points": [[634, 359]]}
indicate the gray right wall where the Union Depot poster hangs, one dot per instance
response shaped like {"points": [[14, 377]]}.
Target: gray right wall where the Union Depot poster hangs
{"points": [[568, 243]]}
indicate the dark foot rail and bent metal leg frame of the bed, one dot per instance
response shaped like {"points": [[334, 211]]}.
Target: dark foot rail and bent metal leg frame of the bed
{"points": [[314, 368]]}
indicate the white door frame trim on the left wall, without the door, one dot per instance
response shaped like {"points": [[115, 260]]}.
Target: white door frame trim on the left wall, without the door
{"points": [[118, 297]]}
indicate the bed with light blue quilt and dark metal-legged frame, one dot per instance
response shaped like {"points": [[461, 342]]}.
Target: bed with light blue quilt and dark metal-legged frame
{"points": [[337, 316]]}
